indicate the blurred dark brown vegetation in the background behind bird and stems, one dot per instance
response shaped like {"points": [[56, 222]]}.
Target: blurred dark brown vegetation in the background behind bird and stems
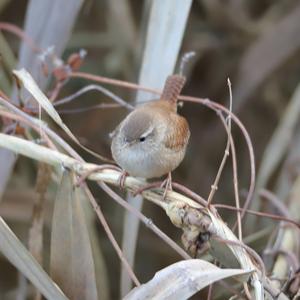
{"points": [[256, 43]]}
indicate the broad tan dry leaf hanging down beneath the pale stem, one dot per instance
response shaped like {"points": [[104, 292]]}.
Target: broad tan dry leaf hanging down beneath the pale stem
{"points": [[71, 262]]}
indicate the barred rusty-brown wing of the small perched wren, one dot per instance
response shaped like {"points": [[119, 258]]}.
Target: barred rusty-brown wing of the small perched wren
{"points": [[178, 134]]}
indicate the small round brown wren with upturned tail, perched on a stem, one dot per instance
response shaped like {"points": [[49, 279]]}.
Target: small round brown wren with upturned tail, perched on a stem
{"points": [[152, 139]]}
